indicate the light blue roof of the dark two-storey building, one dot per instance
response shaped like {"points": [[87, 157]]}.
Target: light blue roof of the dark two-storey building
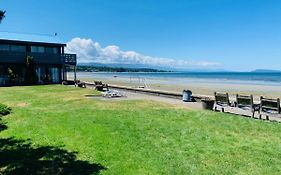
{"points": [[31, 38]]}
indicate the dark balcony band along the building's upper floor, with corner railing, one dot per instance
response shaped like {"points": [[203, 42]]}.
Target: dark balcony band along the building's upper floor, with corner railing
{"points": [[39, 58]]}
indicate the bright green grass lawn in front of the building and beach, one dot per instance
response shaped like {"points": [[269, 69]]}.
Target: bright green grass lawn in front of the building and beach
{"points": [[56, 130]]}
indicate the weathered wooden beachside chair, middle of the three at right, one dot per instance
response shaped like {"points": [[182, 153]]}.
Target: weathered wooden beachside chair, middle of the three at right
{"points": [[246, 102]]}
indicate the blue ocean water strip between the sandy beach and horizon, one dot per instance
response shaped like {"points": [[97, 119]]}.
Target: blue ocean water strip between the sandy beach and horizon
{"points": [[209, 77]]}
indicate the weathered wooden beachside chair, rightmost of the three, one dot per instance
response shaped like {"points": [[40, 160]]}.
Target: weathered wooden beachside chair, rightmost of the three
{"points": [[269, 106]]}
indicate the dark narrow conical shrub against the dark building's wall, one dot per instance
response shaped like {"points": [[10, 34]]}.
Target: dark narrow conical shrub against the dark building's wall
{"points": [[31, 77]]}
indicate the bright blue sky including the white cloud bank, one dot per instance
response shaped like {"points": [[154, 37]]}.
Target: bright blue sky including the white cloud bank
{"points": [[205, 34]]}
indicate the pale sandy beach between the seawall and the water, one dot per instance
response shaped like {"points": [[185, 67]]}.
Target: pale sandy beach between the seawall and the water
{"points": [[197, 86]]}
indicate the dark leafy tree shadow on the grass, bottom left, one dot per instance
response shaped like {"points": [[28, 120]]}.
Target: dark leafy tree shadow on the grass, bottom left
{"points": [[20, 157]]}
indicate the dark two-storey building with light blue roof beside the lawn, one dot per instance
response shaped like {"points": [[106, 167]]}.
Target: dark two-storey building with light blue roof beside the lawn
{"points": [[50, 61]]}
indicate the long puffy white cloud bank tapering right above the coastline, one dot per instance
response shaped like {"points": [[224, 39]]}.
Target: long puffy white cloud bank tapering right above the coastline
{"points": [[89, 51]]}
